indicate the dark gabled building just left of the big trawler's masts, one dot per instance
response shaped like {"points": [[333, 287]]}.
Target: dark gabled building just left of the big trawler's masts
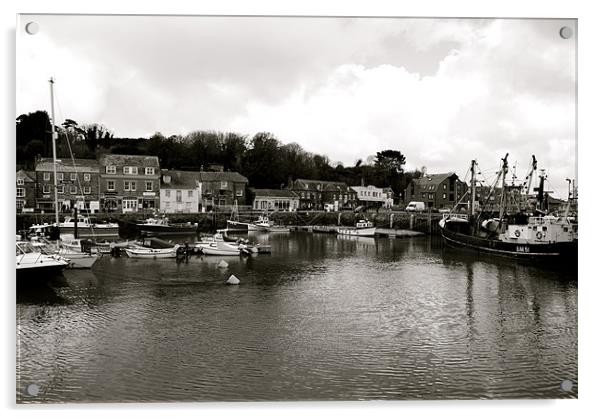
{"points": [[437, 191]]}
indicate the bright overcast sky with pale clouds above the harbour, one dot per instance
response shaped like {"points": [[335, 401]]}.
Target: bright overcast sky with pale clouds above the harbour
{"points": [[441, 91]]}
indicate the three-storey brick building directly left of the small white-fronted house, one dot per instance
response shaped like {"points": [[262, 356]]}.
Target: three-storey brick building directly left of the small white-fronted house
{"points": [[129, 183]]}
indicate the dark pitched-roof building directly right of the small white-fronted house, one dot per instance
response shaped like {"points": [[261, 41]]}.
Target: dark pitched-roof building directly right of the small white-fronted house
{"points": [[220, 189]]}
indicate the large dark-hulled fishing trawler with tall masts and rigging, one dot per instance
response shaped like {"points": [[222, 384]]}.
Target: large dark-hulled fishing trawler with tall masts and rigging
{"points": [[539, 236]]}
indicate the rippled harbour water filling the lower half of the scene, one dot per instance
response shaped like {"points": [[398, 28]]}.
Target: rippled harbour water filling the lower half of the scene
{"points": [[321, 318]]}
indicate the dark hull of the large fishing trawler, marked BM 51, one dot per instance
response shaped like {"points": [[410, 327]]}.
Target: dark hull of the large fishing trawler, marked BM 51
{"points": [[557, 250]]}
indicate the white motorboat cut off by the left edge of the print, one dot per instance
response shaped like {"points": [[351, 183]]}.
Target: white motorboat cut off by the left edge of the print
{"points": [[33, 263]]}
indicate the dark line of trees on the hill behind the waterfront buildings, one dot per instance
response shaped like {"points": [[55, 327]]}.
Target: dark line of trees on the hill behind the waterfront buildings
{"points": [[265, 160]]}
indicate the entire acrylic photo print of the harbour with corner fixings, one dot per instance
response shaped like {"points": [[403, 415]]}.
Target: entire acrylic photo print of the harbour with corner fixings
{"points": [[231, 208]]}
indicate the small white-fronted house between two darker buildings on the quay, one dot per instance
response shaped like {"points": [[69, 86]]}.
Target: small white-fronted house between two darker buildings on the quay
{"points": [[179, 191]]}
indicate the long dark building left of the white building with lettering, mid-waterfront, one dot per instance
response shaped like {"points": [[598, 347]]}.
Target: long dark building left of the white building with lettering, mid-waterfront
{"points": [[314, 194]]}
